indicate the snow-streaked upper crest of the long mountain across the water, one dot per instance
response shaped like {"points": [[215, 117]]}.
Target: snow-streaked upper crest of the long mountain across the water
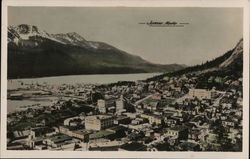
{"points": [[32, 36]]}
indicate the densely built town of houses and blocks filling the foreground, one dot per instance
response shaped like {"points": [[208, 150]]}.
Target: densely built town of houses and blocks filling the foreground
{"points": [[166, 115]]}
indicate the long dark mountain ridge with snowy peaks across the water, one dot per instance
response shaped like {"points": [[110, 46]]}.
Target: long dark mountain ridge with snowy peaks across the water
{"points": [[32, 52]]}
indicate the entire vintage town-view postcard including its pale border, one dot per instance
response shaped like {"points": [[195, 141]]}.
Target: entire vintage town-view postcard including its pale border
{"points": [[127, 78]]}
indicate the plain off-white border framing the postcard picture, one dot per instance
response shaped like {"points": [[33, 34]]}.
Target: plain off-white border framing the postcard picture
{"points": [[124, 3]]}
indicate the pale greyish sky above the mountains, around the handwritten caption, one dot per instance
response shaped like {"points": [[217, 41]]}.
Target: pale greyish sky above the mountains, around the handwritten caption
{"points": [[210, 32]]}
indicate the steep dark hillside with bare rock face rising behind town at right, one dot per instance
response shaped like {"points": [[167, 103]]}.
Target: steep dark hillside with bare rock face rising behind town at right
{"points": [[229, 64]]}
